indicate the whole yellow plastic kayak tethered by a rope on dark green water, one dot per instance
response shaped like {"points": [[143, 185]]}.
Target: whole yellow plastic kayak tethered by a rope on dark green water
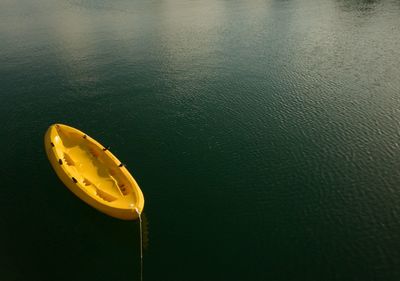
{"points": [[93, 173]]}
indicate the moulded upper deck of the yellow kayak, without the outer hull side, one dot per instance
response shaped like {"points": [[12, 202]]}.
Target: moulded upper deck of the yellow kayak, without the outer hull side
{"points": [[92, 167]]}
